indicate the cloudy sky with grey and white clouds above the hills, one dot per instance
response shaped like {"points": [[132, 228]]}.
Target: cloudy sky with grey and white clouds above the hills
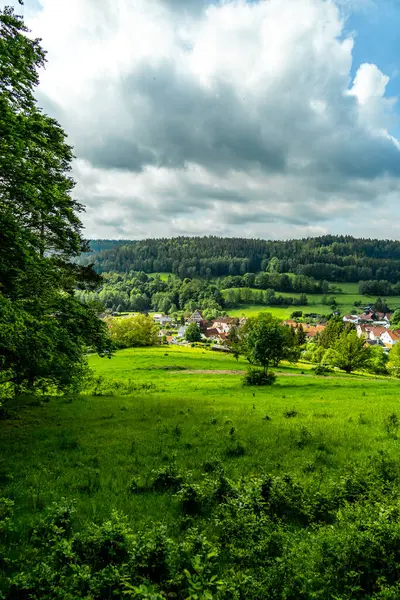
{"points": [[264, 118]]}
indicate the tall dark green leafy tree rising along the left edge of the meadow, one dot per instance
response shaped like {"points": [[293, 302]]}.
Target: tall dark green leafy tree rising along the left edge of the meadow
{"points": [[44, 330]]}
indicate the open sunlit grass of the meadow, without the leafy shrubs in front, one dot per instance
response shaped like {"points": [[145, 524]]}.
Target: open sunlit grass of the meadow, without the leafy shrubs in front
{"points": [[91, 448]]}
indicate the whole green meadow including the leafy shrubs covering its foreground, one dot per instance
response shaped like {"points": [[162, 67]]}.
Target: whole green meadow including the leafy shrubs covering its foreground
{"points": [[287, 492]]}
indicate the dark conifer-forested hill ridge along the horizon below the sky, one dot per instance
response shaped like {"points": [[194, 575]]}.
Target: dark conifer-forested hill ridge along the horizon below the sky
{"points": [[334, 258]]}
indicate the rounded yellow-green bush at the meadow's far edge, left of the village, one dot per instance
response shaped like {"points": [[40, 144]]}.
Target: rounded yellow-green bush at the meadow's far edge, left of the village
{"points": [[133, 331]]}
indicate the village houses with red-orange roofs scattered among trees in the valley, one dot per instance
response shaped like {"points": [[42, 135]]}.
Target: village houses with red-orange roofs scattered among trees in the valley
{"points": [[373, 326]]}
